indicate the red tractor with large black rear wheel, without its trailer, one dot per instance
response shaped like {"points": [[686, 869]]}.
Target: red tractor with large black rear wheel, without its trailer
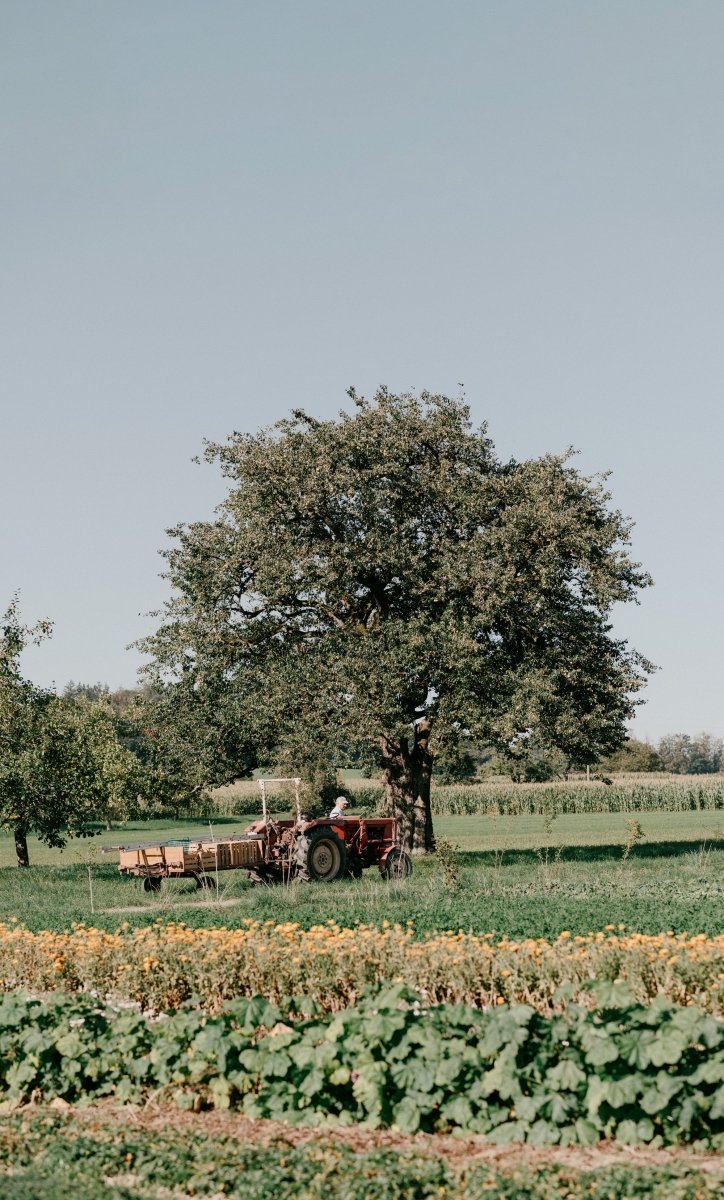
{"points": [[326, 849]]}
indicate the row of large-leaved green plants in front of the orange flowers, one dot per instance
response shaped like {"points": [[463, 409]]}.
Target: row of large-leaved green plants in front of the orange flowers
{"points": [[626, 1072]]}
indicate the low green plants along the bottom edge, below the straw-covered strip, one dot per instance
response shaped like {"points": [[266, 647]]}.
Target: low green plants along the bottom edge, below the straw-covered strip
{"points": [[50, 1157]]}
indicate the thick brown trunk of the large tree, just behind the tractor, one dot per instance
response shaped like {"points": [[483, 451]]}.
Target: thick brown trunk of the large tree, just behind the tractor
{"points": [[406, 773]]}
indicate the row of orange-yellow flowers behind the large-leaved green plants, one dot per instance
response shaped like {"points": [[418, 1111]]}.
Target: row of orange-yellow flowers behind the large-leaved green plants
{"points": [[164, 965]]}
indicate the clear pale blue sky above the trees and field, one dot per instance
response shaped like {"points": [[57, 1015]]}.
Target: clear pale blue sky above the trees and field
{"points": [[213, 211]]}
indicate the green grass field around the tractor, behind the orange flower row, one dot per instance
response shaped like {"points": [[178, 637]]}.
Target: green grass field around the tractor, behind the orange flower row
{"points": [[517, 877]]}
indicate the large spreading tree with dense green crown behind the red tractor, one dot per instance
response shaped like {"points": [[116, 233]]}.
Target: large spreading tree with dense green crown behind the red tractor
{"points": [[384, 580]]}
